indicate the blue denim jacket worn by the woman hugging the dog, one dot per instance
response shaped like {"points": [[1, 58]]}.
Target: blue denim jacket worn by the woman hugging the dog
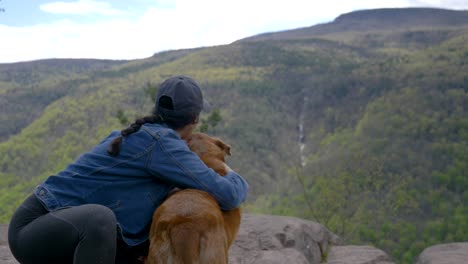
{"points": [[133, 184]]}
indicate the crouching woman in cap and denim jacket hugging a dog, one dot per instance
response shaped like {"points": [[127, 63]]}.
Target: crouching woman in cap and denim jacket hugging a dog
{"points": [[99, 209]]}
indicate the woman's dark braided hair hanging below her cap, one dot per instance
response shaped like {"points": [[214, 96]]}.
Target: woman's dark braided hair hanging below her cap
{"points": [[159, 115]]}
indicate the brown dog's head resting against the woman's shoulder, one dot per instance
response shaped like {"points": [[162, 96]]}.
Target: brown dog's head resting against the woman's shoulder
{"points": [[211, 150]]}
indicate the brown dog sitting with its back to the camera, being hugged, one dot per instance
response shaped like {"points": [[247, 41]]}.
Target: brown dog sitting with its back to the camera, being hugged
{"points": [[189, 226]]}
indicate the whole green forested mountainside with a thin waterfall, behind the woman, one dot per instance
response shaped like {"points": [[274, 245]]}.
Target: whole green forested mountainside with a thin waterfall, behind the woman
{"points": [[363, 129]]}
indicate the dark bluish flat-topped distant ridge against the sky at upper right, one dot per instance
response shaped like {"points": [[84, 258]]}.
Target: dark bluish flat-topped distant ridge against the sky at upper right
{"points": [[376, 19]]}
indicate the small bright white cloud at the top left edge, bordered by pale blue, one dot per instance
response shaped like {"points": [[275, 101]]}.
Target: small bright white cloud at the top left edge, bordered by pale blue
{"points": [[81, 7]]}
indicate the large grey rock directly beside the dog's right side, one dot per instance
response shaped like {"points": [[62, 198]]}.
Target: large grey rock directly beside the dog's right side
{"points": [[280, 239]]}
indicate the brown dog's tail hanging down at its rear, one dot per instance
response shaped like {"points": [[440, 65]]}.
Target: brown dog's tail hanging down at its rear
{"points": [[185, 240]]}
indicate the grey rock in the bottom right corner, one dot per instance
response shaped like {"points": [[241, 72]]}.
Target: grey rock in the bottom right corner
{"points": [[451, 253]]}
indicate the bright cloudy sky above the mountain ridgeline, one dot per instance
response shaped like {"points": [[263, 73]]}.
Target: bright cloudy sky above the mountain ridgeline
{"points": [[127, 30]]}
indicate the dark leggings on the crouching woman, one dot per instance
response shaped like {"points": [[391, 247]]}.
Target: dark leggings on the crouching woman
{"points": [[85, 234]]}
